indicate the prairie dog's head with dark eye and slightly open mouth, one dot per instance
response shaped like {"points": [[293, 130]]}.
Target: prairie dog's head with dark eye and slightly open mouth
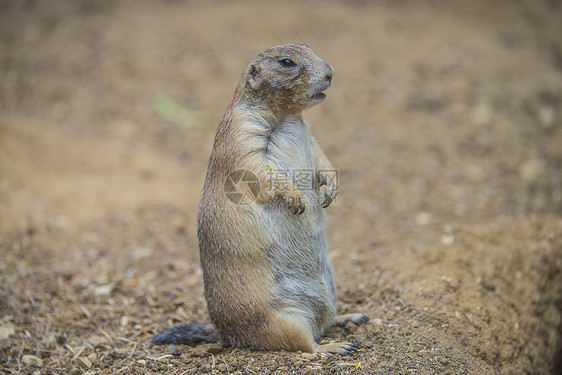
{"points": [[288, 76]]}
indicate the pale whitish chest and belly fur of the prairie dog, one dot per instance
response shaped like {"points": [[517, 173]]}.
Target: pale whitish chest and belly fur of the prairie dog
{"points": [[297, 246]]}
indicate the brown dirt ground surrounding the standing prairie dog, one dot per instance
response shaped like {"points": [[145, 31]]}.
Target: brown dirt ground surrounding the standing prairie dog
{"points": [[445, 123]]}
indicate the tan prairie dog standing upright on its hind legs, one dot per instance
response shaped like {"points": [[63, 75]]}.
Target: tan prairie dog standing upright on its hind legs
{"points": [[268, 281]]}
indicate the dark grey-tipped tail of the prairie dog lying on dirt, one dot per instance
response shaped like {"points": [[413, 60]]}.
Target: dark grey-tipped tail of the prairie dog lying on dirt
{"points": [[187, 334]]}
